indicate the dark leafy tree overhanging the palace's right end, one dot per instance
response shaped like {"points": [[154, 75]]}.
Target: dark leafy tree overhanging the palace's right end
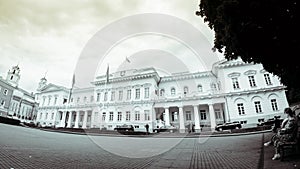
{"points": [[258, 31]]}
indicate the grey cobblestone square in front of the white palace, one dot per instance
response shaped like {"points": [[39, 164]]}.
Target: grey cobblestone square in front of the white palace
{"points": [[22, 147]]}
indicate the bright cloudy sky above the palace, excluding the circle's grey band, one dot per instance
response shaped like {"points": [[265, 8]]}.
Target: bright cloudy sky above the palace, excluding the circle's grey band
{"points": [[49, 37]]}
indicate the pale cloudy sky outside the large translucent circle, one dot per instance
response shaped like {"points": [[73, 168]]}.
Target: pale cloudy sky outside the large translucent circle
{"points": [[44, 35]]}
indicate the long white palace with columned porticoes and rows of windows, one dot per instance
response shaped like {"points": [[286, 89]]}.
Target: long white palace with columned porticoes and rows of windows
{"points": [[231, 91]]}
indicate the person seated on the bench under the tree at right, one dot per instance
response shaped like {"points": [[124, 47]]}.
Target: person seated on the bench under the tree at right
{"points": [[287, 133]]}
